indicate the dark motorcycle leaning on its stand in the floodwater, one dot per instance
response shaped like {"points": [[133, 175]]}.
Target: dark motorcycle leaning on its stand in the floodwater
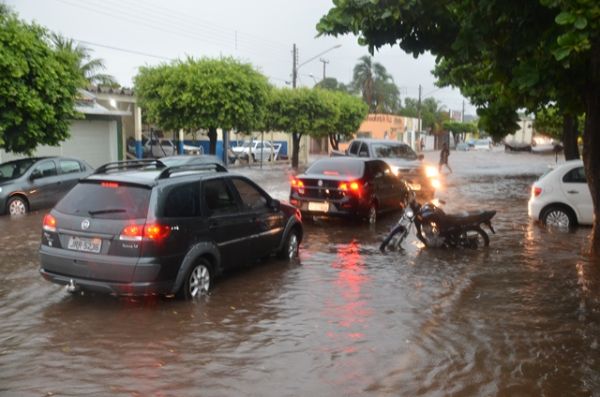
{"points": [[435, 228]]}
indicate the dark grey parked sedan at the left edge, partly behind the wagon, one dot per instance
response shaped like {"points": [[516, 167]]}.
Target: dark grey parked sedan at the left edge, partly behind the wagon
{"points": [[37, 182]]}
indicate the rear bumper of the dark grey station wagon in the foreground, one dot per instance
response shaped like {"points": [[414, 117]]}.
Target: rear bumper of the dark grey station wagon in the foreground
{"points": [[106, 274]]}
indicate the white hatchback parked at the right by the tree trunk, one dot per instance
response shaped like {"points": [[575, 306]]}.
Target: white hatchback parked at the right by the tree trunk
{"points": [[562, 198]]}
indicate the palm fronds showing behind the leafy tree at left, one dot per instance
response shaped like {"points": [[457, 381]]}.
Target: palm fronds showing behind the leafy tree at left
{"points": [[89, 67]]}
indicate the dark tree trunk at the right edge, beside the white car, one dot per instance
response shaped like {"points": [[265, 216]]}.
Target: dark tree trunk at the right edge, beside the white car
{"points": [[591, 144]]}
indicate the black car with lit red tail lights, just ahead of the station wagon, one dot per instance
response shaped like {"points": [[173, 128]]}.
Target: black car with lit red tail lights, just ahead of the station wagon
{"points": [[350, 187]]}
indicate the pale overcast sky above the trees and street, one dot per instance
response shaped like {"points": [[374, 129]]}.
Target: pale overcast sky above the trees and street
{"points": [[260, 32]]}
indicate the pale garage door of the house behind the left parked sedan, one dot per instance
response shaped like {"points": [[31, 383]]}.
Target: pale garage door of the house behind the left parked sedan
{"points": [[94, 141]]}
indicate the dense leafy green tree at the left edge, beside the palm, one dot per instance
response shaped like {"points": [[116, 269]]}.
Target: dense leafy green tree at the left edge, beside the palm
{"points": [[38, 87]]}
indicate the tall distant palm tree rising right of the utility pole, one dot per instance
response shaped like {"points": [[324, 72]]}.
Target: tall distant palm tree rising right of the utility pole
{"points": [[376, 86]]}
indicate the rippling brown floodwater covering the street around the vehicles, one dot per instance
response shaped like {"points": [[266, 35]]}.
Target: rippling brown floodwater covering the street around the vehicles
{"points": [[520, 318]]}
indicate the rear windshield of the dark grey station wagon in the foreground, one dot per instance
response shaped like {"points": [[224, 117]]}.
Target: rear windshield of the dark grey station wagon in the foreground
{"points": [[106, 200]]}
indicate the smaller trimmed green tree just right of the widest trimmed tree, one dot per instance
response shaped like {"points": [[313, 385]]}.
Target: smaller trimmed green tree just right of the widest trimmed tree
{"points": [[302, 111]]}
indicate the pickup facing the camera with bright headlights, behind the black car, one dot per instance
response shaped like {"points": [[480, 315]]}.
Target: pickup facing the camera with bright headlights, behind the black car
{"points": [[405, 163]]}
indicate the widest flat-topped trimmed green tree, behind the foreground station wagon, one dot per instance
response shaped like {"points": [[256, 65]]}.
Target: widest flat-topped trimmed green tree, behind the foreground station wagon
{"points": [[206, 93]]}
